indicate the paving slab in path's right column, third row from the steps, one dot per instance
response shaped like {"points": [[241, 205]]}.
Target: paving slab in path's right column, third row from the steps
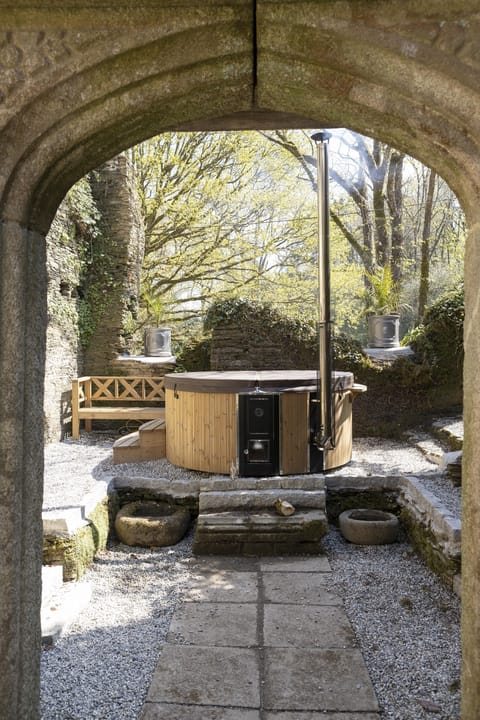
{"points": [[304, 626]]}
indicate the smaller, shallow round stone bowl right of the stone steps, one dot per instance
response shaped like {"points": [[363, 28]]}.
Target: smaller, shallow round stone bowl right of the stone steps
{"points": [[368, 527]]}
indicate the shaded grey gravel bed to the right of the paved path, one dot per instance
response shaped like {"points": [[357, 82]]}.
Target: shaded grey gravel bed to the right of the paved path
{"points": [[407, 625]]}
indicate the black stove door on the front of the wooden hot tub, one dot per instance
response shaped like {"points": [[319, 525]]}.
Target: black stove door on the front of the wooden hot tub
{"points": [[258, 426]]}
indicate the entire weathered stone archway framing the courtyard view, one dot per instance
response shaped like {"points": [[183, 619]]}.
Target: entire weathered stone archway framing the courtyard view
{"points": [[82, 80]]}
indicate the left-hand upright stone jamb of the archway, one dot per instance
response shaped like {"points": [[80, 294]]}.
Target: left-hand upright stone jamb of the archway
{"points": [[22, 357]]}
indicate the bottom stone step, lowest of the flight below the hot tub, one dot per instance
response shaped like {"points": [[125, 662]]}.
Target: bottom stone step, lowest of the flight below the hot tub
{"points": [[262, 533]]}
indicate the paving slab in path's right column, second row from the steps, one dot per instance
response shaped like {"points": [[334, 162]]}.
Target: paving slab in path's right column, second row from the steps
{"points": [[299, 588]]}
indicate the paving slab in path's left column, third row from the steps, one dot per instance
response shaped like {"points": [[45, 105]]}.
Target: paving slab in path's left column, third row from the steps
{"points": [[217, 624]]}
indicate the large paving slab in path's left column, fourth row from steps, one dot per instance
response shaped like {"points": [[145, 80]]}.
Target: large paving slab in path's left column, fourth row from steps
{"points": [[188, 674]]}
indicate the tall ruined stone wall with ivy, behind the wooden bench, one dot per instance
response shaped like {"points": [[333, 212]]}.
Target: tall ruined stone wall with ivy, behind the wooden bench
{"points": [[116, 208]]}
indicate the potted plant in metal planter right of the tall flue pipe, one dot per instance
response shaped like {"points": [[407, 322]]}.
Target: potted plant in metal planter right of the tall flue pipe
{"points": [[383, 309]]}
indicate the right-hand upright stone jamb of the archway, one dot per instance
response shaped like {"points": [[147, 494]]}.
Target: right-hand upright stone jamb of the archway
{"points": [[471, 483]]}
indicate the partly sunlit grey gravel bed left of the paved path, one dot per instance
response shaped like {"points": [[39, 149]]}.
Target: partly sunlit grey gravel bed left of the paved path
{"points": [[103, 665]]}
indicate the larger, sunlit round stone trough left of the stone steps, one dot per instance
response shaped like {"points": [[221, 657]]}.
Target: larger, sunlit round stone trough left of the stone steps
{"points": [[147, 523]]}
